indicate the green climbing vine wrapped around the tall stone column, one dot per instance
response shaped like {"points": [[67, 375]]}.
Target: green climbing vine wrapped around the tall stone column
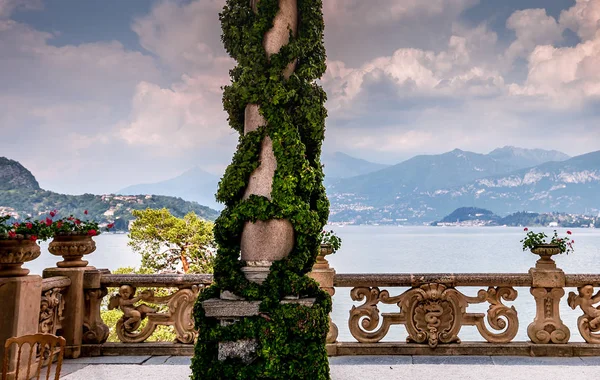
{"points": [[290, 338]]}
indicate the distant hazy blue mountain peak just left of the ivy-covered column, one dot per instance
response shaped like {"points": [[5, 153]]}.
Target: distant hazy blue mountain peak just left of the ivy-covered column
{"points": [[194, 185]]}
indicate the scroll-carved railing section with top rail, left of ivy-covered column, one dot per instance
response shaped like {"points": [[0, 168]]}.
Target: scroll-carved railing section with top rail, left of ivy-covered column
{"points": [[143, 311]]}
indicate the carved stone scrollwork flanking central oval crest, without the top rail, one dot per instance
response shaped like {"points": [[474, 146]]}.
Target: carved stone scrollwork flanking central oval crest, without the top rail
{"points": [[433, 314]]}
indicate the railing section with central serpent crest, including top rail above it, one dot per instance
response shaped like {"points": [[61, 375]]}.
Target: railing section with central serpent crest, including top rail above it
{"points": [[432, 309]]}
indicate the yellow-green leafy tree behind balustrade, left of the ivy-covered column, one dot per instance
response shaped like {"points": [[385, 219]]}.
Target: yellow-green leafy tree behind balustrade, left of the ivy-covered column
{"points": [[170, 243]]}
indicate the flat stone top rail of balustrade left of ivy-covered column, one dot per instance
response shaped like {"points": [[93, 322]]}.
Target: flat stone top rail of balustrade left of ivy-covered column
{"points": [[156, 280]]}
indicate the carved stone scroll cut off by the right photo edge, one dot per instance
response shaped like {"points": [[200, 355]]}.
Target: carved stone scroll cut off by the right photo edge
{"points": [[589, 322]]}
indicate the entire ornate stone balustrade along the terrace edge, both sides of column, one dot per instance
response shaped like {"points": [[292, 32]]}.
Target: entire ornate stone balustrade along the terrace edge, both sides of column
{"points": [[432, 307]]}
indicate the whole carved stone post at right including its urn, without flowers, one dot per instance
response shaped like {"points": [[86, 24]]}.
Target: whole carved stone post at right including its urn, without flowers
{"points": [[548, 284]]}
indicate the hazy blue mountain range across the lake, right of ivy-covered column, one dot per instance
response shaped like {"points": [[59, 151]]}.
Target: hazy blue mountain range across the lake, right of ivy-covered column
{"points": [[426, 188]]}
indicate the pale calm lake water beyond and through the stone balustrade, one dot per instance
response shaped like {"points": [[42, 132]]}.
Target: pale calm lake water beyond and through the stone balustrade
{"points": [[390, 249]]}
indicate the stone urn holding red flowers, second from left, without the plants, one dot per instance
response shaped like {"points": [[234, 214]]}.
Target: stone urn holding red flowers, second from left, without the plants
{"points": [[72, 248]]}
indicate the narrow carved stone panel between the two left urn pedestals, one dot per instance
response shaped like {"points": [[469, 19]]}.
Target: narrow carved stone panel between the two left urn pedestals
{"points": [[52, 304]]}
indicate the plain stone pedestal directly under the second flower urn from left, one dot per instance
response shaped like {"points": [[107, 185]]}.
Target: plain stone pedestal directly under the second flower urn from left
{"points": [[74, 310]]}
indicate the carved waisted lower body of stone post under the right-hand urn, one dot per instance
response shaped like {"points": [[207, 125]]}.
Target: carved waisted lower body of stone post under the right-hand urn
{"points": [[547, 326]]}
